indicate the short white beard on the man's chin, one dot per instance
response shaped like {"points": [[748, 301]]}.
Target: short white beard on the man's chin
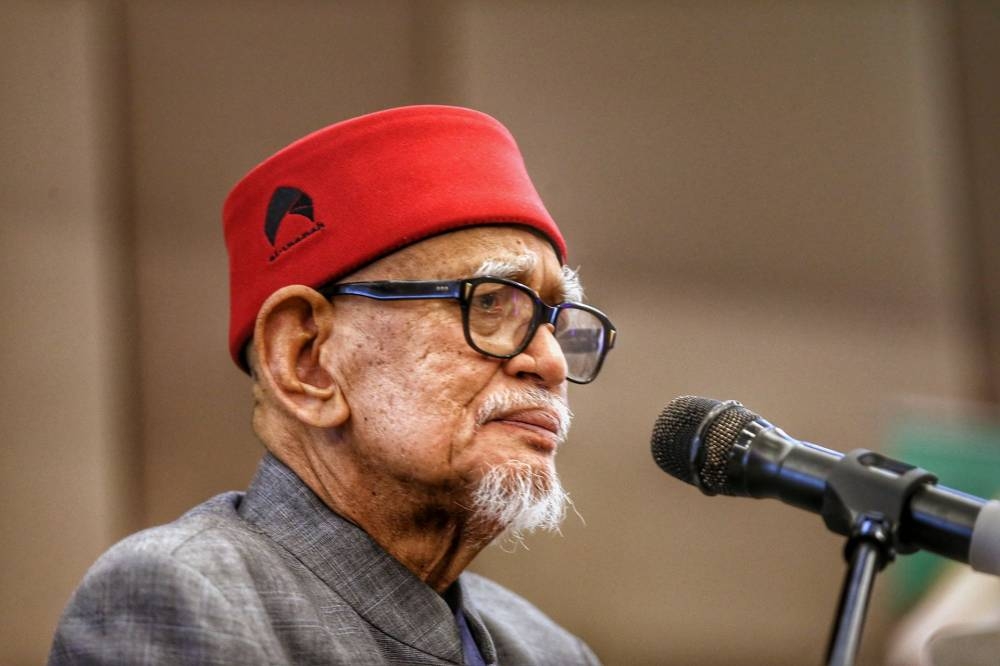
{"points": [[518, 500]]}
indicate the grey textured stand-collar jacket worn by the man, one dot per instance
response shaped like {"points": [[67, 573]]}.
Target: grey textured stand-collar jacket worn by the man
{"points": [[273, 576]]}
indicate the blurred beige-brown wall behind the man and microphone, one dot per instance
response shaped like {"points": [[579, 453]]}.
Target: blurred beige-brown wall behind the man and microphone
{"points": [[790, 203]]}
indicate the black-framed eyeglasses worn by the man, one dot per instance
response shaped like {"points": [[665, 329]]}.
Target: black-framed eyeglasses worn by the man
{"points": [[500, 317]]}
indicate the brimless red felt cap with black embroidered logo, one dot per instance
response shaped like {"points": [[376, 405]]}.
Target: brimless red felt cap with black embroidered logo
{"points": [[363, 188]]}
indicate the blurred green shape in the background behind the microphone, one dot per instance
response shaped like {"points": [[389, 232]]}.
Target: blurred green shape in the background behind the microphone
{"points": [[965, 455]]}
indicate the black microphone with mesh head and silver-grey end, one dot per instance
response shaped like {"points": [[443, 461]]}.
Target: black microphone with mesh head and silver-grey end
{"points": [[723, 448]]}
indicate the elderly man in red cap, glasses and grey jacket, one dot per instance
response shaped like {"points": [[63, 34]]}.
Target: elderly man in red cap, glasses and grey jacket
{"points": [[400, 299]]}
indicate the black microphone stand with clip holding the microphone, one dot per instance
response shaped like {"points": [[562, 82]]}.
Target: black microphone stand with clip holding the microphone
{"points": [[865, 497]]}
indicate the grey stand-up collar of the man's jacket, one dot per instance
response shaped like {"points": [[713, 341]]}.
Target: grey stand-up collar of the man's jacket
{"points": [[355, 567]]}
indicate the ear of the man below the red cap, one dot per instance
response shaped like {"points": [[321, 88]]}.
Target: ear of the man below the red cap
{"points": [[291, 327]]}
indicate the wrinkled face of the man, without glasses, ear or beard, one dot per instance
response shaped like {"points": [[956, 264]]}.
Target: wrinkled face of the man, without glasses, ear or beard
{"points": [[417, 391]]}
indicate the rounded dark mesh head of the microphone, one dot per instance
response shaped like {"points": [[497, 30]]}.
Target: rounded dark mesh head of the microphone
{"points": [[675, 433]]}
